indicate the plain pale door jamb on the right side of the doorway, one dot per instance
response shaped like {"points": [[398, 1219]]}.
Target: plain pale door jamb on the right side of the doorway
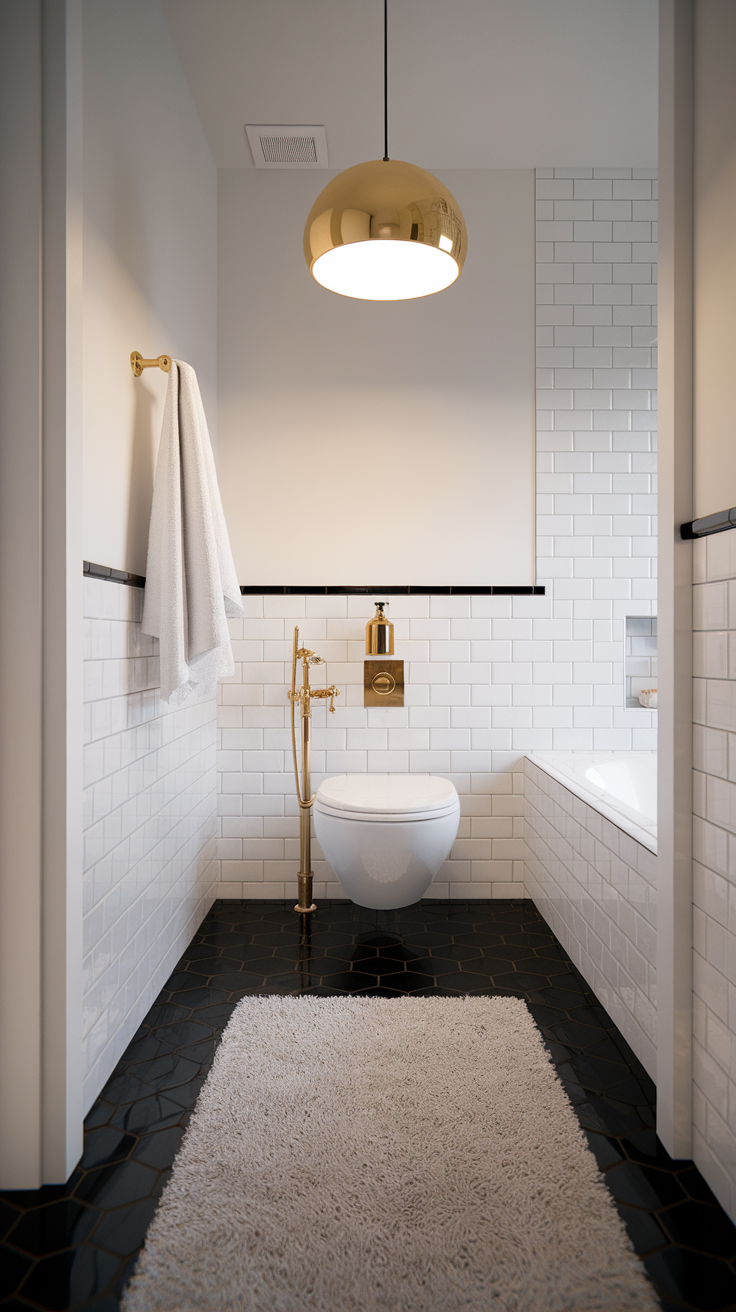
{"points": [[675, 619]]}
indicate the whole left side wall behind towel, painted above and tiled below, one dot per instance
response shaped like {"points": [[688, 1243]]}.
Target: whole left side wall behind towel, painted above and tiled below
{"points": [[150, 285]]}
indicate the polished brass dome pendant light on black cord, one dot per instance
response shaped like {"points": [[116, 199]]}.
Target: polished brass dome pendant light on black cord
{"points": [[385, 230]]}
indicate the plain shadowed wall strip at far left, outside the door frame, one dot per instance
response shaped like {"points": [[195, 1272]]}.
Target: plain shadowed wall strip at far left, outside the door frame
{"points": [[20, 596]]}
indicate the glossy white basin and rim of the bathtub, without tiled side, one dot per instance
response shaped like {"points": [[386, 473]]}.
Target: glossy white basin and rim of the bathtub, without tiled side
{"points": [[621, 785]]}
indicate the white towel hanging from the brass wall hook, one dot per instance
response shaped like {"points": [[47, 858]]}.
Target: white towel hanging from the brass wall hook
{"points": [[191, 582]]}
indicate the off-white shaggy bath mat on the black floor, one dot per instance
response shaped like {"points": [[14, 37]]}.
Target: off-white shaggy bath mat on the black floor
{"points": [[378, 1155]]}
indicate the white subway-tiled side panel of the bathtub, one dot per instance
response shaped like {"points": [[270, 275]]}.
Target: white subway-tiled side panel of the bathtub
{"points": [[596, 888]]}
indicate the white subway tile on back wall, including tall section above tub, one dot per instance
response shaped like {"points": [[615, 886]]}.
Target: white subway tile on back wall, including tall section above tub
{"points": [[489, 679]]}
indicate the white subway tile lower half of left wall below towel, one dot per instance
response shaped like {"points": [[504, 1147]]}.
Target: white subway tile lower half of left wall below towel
{"points": [[150, 826]]}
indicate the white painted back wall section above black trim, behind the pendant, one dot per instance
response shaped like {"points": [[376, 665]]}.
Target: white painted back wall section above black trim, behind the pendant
{"points": [[363, 441]]}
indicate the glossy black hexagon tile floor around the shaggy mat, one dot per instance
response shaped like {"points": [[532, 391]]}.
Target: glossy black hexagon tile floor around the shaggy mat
{"points": [[75, 1246]]}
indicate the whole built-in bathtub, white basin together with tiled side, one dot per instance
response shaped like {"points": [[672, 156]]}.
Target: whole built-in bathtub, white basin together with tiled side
{"points": [[591, 840]]}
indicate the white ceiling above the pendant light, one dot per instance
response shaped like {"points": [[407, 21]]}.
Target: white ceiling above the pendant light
{"points": [[473, 83]]}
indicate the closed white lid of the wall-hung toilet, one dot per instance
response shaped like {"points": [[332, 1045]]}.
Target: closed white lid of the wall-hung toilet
{"points": [[388, 794]]}
